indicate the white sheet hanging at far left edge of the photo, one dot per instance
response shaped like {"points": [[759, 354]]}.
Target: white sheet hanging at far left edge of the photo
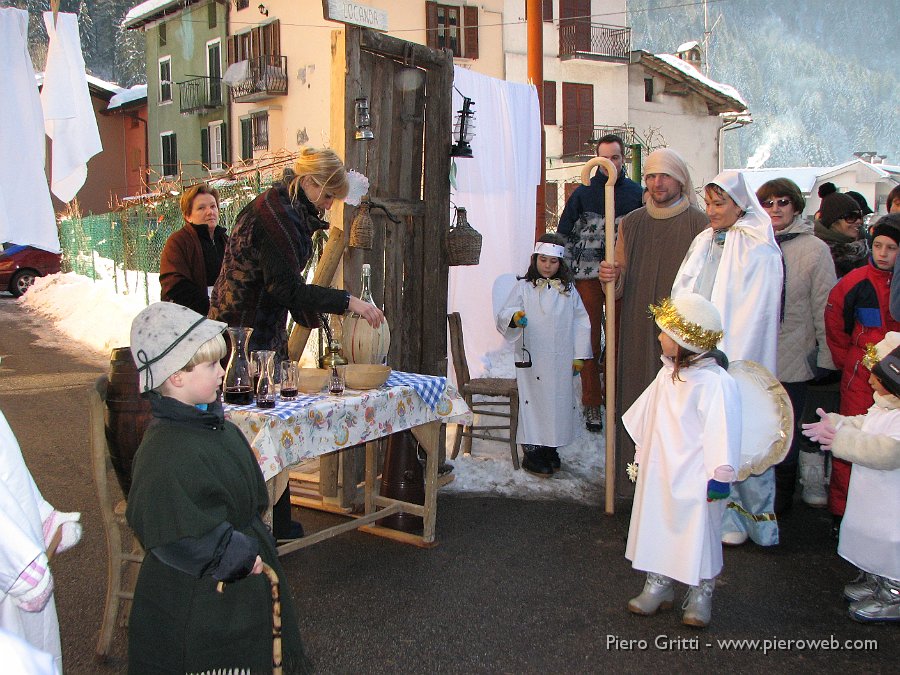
{"points": [[26, 213]]}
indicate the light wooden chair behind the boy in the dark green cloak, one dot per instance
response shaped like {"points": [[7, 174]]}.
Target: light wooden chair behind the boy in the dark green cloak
{"points": [[123, 566]]}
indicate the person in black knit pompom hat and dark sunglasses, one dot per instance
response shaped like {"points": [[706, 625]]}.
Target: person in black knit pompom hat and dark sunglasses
{"points": [[839, 226]]}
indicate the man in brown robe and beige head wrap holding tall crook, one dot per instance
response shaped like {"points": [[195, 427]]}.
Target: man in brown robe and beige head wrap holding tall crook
{"points": [[651, 243]]}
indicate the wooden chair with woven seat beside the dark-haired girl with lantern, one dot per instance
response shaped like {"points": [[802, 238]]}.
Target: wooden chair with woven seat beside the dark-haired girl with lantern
{"points": [[494, 387]]}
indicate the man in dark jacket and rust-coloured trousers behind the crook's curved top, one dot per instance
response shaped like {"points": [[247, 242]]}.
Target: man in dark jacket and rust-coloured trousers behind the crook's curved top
{"points": [[582, 223]]}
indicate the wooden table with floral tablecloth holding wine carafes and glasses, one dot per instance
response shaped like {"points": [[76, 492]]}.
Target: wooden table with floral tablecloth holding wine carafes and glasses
{"points": [[313, 425]]}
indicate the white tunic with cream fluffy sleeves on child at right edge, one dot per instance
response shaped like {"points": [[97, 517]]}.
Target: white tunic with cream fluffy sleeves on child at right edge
{"points": [[870, 529]]}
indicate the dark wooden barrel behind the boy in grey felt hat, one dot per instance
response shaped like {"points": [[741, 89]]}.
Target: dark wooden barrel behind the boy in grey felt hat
{"points": [[127, 414]]}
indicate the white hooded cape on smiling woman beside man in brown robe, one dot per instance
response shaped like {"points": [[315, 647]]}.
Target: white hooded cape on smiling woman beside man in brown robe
{"points": [[748, 282]]}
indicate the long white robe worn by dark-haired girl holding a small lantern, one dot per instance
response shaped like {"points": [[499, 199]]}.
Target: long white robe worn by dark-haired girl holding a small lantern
{"points": [[558, 331]]}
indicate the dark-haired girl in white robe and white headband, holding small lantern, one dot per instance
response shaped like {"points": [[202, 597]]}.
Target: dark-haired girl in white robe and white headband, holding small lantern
{"points": [[545, 318]]}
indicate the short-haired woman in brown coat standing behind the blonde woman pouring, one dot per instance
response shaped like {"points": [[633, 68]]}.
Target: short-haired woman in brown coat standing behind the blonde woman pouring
{"points": [[192, 256]]}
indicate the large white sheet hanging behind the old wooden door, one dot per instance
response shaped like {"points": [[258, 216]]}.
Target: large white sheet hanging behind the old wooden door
{"points": [[497, 188]]}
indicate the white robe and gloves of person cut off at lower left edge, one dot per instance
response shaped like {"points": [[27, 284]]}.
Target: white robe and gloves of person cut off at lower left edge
{"points": [[27, 522]]}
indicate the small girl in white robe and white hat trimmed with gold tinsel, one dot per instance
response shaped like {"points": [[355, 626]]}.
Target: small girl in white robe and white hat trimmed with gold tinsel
{"points": [[687, 431]]}
